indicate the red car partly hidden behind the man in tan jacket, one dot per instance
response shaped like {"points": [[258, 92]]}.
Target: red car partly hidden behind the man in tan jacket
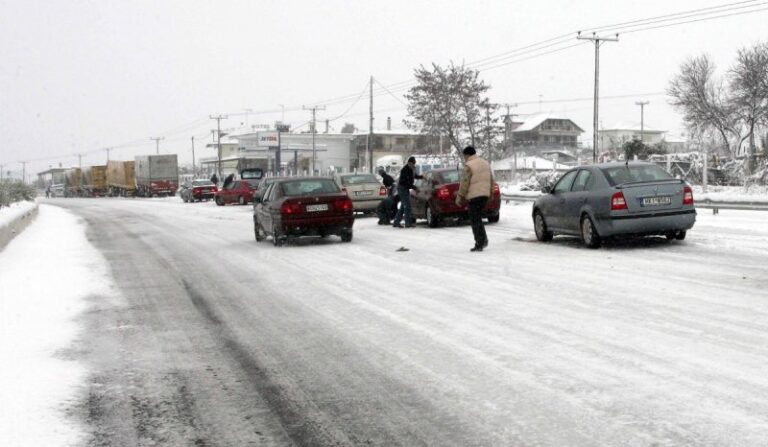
{"points": [[435, 199]]}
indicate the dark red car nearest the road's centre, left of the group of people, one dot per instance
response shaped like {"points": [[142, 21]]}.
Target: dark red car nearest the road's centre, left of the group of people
{"points": [[303, 206]]}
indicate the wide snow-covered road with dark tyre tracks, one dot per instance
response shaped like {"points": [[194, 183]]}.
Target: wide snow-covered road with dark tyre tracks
{"points": [[221, 340]]}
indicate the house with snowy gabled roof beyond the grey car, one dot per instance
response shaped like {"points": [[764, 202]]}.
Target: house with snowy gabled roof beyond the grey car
{"points": [[544, 131]]}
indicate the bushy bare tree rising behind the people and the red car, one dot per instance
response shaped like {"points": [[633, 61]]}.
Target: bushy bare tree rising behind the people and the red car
{"points": [[449, 101]]}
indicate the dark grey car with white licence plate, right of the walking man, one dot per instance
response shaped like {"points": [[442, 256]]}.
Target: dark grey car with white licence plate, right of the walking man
{"points": [[600, 201]]}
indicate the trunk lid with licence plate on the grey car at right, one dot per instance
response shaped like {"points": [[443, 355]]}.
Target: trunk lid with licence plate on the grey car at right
{"points": [[662, 195]]}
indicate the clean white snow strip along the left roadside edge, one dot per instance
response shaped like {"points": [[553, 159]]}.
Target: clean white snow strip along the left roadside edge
{"points": [[46, 274]]}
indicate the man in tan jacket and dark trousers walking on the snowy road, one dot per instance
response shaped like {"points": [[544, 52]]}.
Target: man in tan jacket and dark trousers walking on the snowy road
{"points": [[476, 188]]}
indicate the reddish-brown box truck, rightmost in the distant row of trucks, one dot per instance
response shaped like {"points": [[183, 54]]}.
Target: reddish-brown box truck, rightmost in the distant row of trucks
{"points": [[157, 175]]}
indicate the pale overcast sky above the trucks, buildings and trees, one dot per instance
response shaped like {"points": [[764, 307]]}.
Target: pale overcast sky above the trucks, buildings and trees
{"points": [[77, 76]]}
